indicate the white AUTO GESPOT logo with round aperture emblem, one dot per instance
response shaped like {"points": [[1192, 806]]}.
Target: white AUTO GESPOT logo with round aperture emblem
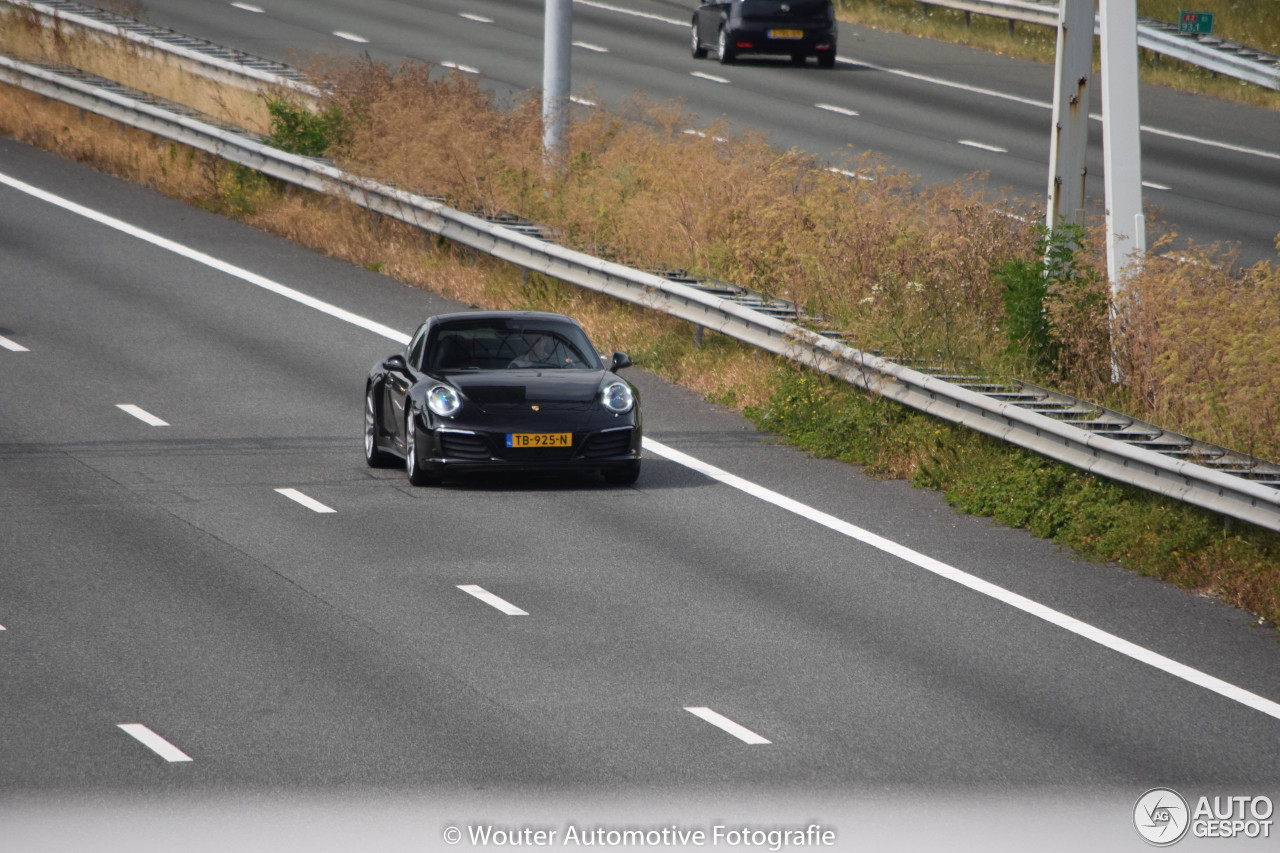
{"points": [[1164, 818]]}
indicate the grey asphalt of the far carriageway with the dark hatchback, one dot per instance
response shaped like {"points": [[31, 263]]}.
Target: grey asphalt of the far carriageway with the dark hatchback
{"points": [[1210, 166]]}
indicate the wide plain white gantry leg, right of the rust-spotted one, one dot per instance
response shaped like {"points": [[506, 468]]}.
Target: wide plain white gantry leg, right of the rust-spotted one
{"points": [[1122, 152]]}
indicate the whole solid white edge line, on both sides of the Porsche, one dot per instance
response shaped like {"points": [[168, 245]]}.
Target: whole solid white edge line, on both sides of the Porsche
{"points": [[929, 564]]}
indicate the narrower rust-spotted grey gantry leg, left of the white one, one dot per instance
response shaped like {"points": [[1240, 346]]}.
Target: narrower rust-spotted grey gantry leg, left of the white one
{"points": [[1071, 131]]}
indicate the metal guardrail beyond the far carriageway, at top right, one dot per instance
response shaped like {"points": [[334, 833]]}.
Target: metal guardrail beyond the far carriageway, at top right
{"points": [[1206, 52]]}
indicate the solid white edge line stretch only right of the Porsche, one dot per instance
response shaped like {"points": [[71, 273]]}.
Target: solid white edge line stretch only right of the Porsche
{"points": [[977, 585]]}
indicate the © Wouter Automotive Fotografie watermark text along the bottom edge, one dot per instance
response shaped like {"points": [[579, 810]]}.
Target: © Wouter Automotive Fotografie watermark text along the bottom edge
{"points": [[716, 836]]}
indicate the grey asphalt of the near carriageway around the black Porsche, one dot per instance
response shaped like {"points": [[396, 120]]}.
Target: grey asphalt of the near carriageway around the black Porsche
{"points": [[156, 576]]}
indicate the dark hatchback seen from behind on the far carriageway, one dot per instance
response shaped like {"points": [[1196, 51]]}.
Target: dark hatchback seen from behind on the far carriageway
{"points": [[796, 29]]}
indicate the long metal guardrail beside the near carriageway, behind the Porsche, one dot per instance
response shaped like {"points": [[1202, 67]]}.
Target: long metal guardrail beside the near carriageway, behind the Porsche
{"points": [[1018, 414]]}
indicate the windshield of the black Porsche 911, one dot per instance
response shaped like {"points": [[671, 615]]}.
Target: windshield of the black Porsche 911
{"points": [[501, 345]]}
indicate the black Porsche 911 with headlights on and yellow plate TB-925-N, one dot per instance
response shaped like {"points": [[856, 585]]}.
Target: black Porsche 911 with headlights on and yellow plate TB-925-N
{"points": [[502, 391]]}
